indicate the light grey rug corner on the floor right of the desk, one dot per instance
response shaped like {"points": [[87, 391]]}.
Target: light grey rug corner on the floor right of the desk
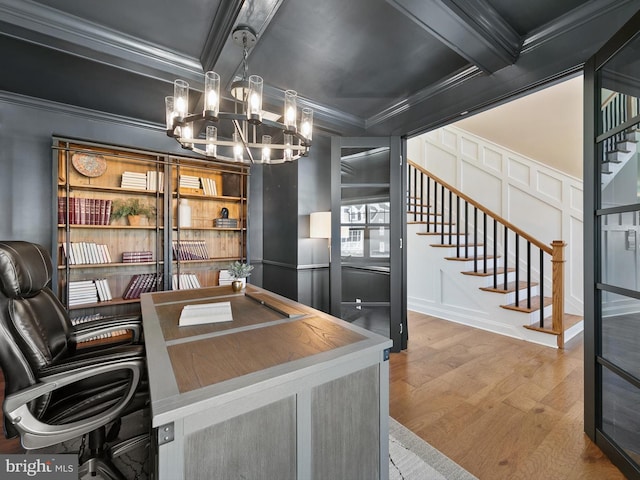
{"points": [[411, 458]]}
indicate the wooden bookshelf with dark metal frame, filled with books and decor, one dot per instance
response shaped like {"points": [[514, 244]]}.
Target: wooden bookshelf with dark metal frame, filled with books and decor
{"points": [[103, 262]]}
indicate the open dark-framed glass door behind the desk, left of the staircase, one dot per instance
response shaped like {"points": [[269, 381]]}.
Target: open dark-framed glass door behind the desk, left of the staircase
{"points": [[367, 279]]}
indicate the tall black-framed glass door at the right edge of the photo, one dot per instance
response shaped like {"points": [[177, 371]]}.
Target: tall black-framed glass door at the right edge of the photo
{"points": [[612, 253]]}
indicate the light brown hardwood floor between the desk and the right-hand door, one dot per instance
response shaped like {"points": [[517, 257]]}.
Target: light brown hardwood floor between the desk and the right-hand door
{"points": [[502, 408]]}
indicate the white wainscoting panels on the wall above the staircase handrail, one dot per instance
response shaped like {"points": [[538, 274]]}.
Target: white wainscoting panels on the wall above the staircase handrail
{"points": [[541, 200]]}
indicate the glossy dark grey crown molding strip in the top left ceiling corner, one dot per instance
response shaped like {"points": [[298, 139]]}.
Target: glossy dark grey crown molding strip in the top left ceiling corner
{"points": [[34, 22]]}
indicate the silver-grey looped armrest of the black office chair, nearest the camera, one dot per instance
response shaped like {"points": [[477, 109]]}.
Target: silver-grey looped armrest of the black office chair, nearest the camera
{"points": [[37, 434]]}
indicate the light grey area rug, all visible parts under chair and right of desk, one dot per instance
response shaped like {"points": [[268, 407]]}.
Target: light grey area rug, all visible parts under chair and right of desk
{"points": [[410, 457]]}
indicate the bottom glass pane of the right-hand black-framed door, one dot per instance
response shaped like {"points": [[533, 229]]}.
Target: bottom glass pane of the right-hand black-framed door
{"points": [[620, 414]]}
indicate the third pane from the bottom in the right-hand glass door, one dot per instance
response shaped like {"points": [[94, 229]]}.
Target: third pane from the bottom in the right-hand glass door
{"points": [[619, 250]]}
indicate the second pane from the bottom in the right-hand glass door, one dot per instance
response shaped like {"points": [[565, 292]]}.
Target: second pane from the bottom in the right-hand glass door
{"points": [[621, 331]]}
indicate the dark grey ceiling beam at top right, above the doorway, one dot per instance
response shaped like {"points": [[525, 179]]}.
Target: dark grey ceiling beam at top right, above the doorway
{"points": [[472, 28]]}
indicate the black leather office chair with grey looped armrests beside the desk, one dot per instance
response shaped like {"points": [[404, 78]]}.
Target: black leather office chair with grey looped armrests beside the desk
{"points": [[53, 391]]}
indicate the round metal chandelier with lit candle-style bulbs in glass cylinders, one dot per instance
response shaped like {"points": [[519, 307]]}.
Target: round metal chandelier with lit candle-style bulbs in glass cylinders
{"points": [[254, 137]]}
